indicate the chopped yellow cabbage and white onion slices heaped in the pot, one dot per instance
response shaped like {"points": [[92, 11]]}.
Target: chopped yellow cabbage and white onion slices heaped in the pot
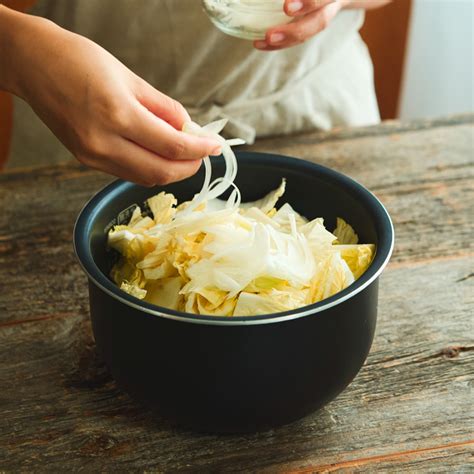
{"points": [[223, 258]]}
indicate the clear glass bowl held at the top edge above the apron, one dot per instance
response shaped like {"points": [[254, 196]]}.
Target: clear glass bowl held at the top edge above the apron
{"points": [[248, 19]]}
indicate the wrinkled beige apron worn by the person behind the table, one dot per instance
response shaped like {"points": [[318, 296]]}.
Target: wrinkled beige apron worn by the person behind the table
{"points": [[326, 82]]}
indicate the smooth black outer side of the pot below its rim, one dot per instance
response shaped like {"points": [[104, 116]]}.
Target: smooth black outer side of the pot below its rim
{"points": [[234, 378]]}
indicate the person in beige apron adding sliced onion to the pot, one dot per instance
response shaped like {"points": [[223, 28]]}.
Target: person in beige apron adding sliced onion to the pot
{"points": [[313, 73]]}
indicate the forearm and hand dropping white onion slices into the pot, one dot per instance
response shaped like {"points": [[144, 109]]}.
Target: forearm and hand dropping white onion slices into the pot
{"points": [[108, 117]]}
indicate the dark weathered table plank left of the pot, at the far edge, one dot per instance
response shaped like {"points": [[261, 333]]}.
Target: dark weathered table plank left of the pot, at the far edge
{"points": [[36, 254]]}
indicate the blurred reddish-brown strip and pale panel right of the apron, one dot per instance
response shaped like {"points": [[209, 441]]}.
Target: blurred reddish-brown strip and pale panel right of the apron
{"points": [[423, 56]]}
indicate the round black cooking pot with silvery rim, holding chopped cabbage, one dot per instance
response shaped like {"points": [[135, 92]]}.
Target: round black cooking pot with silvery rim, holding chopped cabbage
{"points": [[237, 374]]}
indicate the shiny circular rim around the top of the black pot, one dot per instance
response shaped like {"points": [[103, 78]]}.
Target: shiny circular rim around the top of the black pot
{"points": [[81, 242]]}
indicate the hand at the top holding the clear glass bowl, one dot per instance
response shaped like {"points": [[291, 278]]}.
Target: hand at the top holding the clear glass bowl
{"points": [[311, 17]]}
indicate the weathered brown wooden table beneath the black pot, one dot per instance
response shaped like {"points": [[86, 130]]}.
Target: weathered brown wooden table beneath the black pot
{"points": [[411, 408]]}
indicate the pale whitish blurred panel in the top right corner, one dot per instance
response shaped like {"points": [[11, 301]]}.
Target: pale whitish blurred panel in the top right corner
{"points": [[439, 78]]}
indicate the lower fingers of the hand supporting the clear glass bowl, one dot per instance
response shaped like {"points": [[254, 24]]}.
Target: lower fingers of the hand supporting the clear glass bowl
{"points": [[300, 30]]}
